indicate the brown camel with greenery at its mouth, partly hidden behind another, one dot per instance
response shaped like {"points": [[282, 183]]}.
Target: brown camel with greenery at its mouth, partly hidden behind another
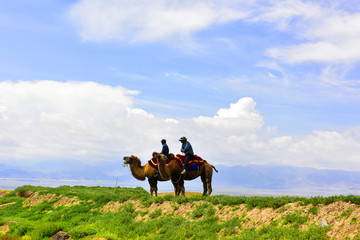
{"points": [[142, 172]]}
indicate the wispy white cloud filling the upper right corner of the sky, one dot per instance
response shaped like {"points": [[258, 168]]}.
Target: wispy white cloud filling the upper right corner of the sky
{"points": [[326, 34]]}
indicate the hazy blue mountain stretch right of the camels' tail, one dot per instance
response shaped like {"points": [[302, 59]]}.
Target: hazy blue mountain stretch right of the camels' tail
{"points": [[286, 177]]}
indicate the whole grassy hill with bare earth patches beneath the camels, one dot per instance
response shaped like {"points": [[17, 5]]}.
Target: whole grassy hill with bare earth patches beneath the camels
{"points": [[100, 213]]}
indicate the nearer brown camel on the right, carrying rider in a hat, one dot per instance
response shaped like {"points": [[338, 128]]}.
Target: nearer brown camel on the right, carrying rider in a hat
{"points": [[173, 170]]}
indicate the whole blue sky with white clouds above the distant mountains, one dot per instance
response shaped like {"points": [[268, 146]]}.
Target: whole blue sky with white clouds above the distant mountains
{"points": [[247, 82]]}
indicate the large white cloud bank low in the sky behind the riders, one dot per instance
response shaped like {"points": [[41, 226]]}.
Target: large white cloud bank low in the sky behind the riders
{"points": [[90, 122]]}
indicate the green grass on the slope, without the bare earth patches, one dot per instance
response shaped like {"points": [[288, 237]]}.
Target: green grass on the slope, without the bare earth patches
{"points": [[86, 220]]}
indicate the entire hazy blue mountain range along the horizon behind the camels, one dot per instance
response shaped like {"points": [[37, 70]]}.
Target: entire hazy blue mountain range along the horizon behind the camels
{"points": [[235, 179]]}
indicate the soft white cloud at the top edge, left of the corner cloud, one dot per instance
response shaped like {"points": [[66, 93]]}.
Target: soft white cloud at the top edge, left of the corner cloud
{"points": [[149, 21]]}
